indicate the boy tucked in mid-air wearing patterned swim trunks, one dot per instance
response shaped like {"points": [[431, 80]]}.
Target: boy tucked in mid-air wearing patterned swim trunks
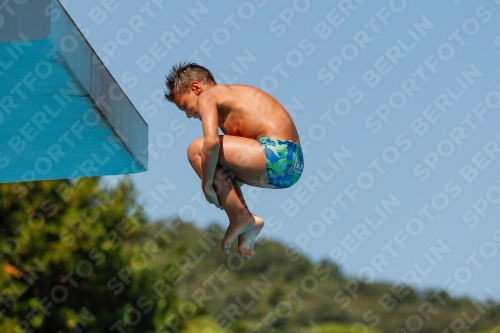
{"points": [[260, 147]]}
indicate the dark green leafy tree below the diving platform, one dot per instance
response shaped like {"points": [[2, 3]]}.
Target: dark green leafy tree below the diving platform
{"points": [[69, 260]]}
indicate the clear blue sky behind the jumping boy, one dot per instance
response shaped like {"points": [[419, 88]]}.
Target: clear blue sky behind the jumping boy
{"points": [[385, 95]]}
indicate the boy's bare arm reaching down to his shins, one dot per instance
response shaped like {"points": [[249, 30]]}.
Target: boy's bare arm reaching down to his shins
{"points": [[207, 106]]}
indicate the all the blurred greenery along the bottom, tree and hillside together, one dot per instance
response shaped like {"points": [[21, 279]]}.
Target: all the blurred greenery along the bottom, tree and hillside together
{"points": [[80, 256]]}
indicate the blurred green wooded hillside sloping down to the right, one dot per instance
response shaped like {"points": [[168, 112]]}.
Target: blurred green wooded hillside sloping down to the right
{"points": [[279, 290]]}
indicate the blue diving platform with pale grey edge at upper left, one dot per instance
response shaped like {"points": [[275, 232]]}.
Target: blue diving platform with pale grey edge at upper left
{"points": [[62, 114]]}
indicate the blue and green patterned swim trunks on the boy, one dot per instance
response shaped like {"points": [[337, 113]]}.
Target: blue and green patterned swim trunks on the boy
{"points": [[284, 161]]}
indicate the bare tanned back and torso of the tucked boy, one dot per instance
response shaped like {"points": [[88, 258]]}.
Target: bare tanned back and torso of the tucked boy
{"points": [[251, 113]]}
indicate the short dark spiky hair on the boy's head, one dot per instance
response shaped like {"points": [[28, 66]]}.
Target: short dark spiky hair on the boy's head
{"points": [[181, 76]]}
